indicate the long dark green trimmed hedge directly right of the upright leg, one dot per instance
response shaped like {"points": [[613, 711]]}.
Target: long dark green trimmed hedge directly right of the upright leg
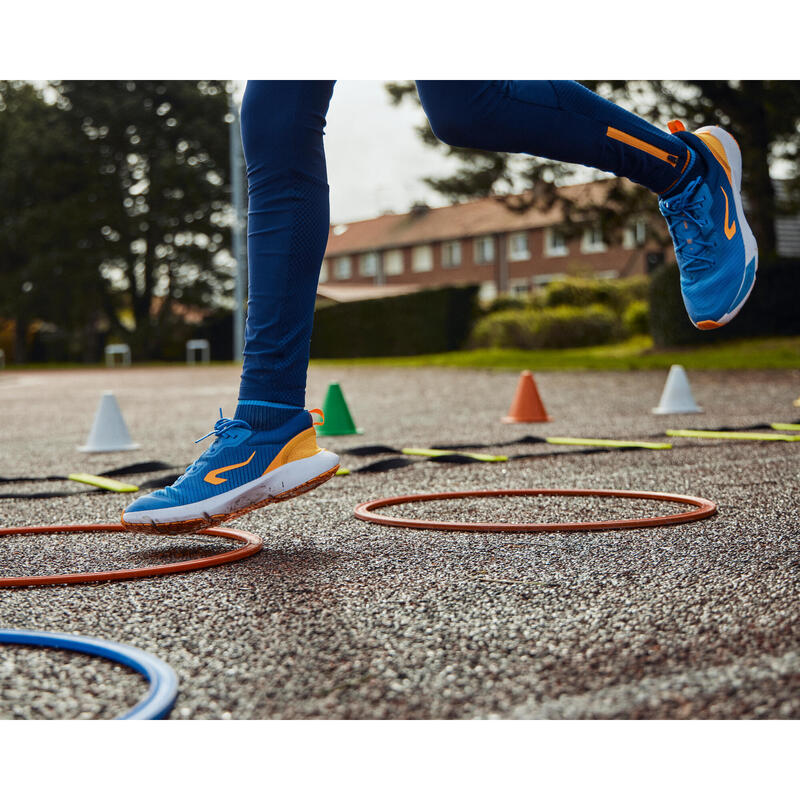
{"points": [[429, 321]]}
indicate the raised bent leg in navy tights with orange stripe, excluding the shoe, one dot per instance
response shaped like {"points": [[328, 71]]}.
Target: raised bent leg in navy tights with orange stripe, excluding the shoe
{"points": [[561, 120]]}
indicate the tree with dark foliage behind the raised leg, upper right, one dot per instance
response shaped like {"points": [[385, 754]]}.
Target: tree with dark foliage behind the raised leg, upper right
{"points": [[764, 116]]}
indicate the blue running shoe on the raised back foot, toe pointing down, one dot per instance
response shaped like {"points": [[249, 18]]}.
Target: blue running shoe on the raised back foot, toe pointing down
{"points": [[715, 248]]}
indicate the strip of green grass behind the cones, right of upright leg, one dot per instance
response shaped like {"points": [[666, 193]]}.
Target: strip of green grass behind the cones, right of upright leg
{"points": [[634, 354]]}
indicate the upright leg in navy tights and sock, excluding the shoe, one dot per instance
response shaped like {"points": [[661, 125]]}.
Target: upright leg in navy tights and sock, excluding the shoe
{"points": [[288, 220]]}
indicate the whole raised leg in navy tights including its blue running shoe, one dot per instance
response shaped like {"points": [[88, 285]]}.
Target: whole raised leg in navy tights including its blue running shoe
{"points": [[697, 175]]}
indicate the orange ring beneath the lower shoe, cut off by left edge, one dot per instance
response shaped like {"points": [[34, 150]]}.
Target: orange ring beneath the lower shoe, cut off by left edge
{"points": [[252, 544]]}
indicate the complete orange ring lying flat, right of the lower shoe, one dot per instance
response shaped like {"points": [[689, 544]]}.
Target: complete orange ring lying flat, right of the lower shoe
{"points": [[702, 508]]}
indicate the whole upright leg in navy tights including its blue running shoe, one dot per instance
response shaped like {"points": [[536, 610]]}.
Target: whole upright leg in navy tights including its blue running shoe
{"points": [[269, 451]]}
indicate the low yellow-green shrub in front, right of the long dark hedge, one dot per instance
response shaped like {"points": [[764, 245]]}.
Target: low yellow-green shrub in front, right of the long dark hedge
{"points": [[564, 326]]}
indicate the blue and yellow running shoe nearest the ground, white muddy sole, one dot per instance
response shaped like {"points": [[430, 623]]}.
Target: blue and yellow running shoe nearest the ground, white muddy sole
{"points": [[243, 470]]}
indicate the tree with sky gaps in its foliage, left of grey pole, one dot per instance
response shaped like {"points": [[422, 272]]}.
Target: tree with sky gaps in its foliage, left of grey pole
{"points": [[157, 211]]}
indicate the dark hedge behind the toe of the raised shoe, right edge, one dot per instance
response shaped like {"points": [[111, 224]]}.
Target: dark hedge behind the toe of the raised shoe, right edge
{"points": [[772, 310]]}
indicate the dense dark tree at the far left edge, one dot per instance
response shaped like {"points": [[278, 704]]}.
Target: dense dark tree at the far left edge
{"points": [[45, 274]]}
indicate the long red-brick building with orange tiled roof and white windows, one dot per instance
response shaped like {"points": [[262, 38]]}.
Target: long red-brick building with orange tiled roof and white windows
{"points": [[483, 242]]}
